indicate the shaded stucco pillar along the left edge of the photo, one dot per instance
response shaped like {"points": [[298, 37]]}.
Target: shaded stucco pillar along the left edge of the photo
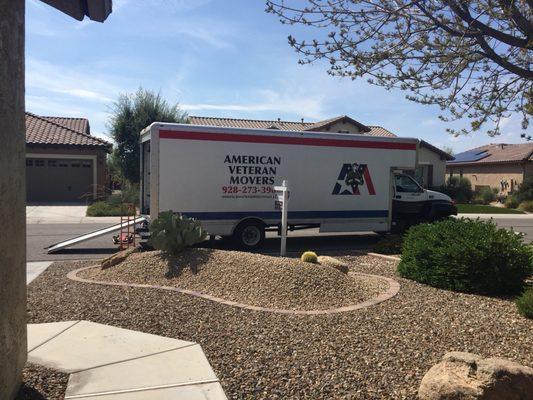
{"points": [[13, 199]]}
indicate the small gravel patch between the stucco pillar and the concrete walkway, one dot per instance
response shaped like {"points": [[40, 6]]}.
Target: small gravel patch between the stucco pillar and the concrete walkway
{"points": [[42, 383]]}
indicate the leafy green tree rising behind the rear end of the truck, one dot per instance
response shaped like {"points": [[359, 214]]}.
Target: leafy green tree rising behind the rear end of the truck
{"points": [[130, 114]]}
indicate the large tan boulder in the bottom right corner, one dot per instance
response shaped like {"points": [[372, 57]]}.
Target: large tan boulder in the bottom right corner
{"points": [[467, 376]]}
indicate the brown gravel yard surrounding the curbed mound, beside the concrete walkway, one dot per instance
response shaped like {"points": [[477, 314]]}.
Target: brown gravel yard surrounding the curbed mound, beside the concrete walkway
{"points": [[380, 352]]}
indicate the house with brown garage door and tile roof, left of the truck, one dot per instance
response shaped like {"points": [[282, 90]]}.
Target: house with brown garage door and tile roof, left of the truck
{"points": [[64, 163]]}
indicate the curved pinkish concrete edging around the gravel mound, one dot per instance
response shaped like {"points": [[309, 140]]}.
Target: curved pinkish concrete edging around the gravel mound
{"points": [[394, 288]]}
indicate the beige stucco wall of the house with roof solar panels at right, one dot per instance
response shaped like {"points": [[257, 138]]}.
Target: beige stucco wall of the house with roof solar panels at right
{"points": [[490, 175]]}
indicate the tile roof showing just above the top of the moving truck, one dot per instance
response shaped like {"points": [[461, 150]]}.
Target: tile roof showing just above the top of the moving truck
{"points": [[284, 125]]}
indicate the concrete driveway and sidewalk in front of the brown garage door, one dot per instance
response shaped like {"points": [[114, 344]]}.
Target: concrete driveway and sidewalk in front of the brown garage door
{"points": [[64, 214]]}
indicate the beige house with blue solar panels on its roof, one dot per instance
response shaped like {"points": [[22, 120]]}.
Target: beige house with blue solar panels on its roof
{"points": [[501, 166]]}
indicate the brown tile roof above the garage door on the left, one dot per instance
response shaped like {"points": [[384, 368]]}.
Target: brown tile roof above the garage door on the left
{"points": [[48, 131]]}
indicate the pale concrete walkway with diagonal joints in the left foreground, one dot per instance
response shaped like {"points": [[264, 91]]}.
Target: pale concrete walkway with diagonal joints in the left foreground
{"points": [[110, 363]]}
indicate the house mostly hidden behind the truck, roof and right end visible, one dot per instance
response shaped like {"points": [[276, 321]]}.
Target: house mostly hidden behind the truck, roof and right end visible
{"points": [[432, 161]]}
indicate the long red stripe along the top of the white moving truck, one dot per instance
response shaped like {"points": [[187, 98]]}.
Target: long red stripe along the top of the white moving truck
{"points": [[230, 137]]}
